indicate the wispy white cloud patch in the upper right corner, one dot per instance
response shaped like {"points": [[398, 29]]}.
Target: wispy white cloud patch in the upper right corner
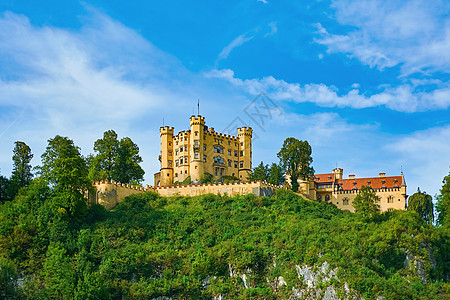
{"points": [[412, 34]]}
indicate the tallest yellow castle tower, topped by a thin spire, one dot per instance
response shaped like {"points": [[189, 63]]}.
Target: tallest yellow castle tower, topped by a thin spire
{"points": [[196, 150]]}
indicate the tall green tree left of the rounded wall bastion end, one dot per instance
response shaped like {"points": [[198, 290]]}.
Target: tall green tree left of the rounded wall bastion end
{"points": [[66, 171]]}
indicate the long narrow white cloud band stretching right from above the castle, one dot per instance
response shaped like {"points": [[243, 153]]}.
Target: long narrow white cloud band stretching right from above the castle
{"points": [[401, 98]]}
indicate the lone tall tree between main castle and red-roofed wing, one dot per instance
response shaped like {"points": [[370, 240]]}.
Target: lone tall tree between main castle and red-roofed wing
{"points": [[295, 159]]}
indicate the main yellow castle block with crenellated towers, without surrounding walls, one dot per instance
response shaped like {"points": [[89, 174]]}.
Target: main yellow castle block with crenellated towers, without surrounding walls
{"points": [[201, 150]]}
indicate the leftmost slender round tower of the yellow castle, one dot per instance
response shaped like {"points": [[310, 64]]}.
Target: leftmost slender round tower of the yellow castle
{"points": [[166, 157]]}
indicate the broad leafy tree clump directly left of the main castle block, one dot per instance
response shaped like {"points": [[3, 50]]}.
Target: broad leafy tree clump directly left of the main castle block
{"points": [[116, 160]]}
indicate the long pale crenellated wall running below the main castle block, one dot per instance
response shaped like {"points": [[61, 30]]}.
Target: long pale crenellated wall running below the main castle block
{"points": [[258, 188]]}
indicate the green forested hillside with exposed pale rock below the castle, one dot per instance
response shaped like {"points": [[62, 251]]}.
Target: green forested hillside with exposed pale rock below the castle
{"points": [[210, 246]]}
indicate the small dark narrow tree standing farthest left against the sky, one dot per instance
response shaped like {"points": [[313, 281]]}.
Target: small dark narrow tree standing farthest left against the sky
{"points": [[22, 156]]}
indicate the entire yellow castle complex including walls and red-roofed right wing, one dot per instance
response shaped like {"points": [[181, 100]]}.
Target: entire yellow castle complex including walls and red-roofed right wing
{"points": [[190, 154]]}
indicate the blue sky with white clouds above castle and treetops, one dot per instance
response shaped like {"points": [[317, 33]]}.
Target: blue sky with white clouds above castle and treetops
{"points": [[365, 82]]}
